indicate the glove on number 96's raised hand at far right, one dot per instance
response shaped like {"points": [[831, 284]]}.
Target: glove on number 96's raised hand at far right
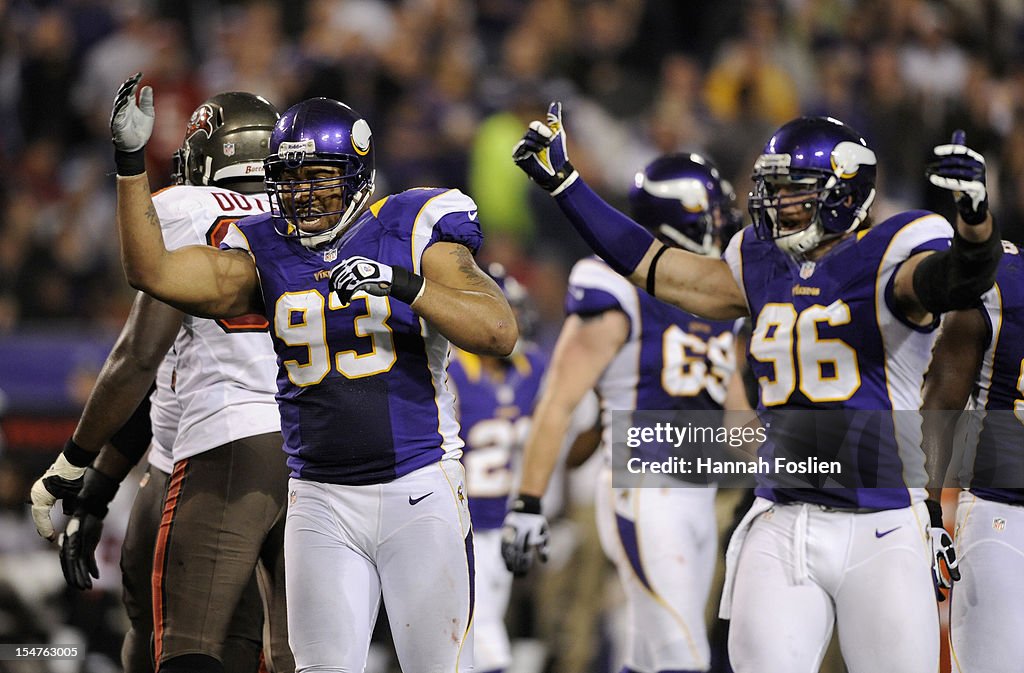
{"points": [[962, 171]]}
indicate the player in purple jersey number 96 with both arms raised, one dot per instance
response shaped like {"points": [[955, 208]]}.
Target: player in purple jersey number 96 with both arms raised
{"points": [[844, 315]]}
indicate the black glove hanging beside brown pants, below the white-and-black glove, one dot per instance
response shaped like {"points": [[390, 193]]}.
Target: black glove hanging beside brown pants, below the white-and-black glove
{"points": [[80, 539]]}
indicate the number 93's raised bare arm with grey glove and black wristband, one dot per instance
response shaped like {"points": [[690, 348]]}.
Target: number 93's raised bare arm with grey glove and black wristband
{"points": [[199, 280]]}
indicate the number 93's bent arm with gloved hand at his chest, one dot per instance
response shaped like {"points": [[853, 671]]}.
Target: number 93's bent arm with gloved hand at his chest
{"points": [[454, 296]]}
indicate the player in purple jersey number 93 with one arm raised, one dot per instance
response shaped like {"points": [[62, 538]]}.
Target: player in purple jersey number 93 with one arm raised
{"points": [[364, 301]]}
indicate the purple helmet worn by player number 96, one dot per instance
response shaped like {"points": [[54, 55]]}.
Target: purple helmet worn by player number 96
{"points": [[819, 163]]}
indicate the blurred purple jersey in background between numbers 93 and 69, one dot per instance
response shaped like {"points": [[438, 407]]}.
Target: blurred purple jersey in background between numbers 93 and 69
{"points": [[494, 415]]}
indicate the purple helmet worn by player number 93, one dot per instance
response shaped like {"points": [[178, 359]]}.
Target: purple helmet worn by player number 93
{"points": [[319, 133]]}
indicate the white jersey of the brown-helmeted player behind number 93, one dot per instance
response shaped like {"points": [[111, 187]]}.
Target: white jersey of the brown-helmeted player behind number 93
{"points": [[226, 369]]}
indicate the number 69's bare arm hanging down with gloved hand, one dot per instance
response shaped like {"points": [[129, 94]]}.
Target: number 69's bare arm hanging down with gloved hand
{"points": [[585, 349]]}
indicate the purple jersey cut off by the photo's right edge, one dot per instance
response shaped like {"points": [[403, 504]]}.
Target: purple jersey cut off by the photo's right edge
{"points": [[998, 455]]}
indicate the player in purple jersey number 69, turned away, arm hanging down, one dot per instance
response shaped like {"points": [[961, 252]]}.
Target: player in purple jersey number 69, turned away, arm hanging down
{"points": [[641, 354]]}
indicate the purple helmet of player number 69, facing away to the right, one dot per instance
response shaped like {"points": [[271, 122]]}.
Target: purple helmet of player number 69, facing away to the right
{"points": [[681, 199]]}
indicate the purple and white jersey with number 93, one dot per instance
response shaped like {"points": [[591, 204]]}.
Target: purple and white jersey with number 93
{"points": [[361, 386]]}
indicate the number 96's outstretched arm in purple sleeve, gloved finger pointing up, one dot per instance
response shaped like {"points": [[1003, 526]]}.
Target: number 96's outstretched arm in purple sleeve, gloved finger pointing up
{"points": [[700, 285]]}
